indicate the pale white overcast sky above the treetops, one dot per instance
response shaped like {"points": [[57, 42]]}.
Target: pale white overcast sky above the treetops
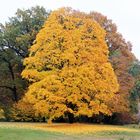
{"points": [[125, 13]]}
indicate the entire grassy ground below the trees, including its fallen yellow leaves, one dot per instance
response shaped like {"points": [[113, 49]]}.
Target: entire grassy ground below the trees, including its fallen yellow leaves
{"points": [[41, 131]]}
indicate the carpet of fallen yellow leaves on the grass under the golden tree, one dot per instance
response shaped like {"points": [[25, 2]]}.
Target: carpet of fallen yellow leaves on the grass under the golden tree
{"points": [[69, 128]]}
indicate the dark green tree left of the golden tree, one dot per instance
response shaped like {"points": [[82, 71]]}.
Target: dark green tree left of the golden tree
{"points": [[16, 36]]}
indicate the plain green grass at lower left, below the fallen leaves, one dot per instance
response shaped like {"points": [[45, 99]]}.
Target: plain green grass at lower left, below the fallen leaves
{"points": [[26, 134]]}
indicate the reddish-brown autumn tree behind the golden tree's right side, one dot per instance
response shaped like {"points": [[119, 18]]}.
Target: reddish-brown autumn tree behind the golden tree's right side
{"points": [[121, 59]]}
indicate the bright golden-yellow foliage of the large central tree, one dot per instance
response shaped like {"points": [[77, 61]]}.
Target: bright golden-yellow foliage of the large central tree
{"points": [[68, 68]]}
